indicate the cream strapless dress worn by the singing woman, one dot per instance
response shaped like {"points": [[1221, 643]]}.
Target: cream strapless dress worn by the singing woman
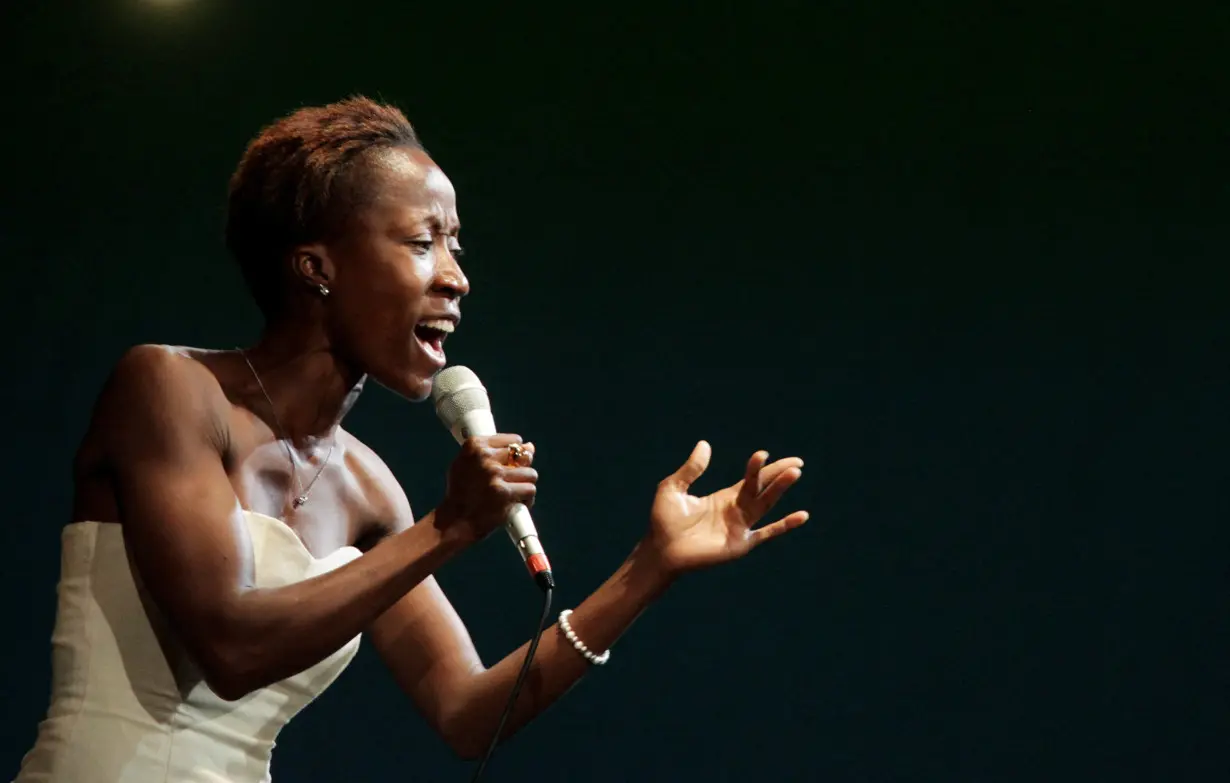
{"points": [[129, 705]]}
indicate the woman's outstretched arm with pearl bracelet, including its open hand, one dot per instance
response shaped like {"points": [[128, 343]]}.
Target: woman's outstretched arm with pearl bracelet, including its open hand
{"points": [[431, 655]]}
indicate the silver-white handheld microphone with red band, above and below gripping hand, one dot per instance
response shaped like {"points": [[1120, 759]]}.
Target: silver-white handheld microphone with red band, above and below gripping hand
{"points": [[464, 409]]}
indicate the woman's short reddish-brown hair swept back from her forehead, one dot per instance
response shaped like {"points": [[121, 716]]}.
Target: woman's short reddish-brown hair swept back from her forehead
{"points": [[300, 181]]}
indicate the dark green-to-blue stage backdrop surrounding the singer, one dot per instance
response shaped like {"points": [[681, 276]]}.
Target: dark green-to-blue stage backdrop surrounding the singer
{"points": [[969, 260]]}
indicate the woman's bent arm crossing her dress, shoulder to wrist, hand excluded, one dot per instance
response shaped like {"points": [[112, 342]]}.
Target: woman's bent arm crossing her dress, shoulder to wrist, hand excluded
{"points": [[162, 422]]}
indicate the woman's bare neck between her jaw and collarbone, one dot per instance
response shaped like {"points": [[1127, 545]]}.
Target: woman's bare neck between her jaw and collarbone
{"points": [[309, 388]]}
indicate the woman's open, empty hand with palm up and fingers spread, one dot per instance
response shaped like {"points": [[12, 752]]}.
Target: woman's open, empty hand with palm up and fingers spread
{"points": [[688, 533]]}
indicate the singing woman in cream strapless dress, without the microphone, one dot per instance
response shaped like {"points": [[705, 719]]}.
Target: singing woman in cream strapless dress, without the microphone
{"points": [[231, 541]]}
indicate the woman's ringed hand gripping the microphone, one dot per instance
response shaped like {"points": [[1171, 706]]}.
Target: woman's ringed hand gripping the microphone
{"points": [[486, 479]]}
